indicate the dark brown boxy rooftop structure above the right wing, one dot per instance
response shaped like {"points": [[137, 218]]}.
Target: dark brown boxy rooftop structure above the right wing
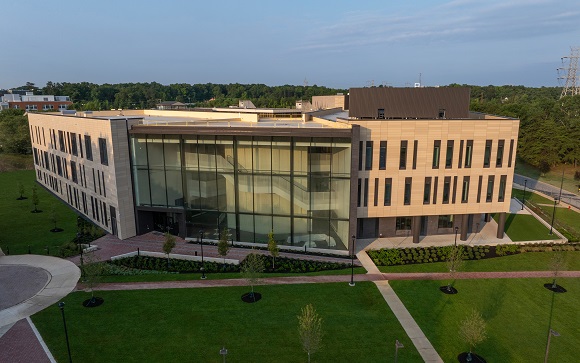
{"points": [[416, 103]]}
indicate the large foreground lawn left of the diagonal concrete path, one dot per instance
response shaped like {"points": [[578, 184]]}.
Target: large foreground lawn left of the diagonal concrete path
{"points": [[192, 325]]}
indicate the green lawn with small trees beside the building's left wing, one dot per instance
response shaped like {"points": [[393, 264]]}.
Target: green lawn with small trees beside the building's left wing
{"points": [[20, 228]]}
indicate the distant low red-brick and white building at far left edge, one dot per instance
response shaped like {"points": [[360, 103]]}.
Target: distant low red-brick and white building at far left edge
{"points": [[31, 102]]}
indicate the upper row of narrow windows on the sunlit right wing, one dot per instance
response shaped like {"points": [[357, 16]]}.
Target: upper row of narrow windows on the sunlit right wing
{"points": [[464, 159]]}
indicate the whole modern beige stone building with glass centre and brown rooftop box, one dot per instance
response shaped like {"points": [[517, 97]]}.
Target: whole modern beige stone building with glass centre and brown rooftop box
{"points": [[387, 162]]}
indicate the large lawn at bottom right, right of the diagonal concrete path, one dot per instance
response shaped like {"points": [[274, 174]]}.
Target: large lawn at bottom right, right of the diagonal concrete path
{"points": [[517, 312]]}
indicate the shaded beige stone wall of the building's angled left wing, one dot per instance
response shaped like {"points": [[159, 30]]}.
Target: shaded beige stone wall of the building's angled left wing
{"points": [[117, 174]]}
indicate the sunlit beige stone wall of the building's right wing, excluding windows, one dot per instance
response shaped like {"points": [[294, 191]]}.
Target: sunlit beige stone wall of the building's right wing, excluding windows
{"points": [[426, 132]]}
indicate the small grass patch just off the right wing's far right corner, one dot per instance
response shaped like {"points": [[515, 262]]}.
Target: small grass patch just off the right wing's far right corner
{"points": [[525, 227]]}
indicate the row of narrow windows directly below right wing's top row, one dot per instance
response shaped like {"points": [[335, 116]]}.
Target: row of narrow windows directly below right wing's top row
{"points": [[430, 190]]}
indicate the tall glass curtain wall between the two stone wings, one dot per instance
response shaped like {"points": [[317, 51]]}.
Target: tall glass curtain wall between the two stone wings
{"points": [[299, 188]]}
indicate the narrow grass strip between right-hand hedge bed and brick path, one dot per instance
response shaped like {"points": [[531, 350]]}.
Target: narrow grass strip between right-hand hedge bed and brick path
{"points": [[527, 261]]}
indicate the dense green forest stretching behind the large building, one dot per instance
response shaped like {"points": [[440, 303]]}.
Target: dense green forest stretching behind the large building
{"points": [[549, 129]]}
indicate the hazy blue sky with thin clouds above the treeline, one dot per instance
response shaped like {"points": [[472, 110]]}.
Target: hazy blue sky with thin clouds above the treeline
{"points": [[332, 43]]}
